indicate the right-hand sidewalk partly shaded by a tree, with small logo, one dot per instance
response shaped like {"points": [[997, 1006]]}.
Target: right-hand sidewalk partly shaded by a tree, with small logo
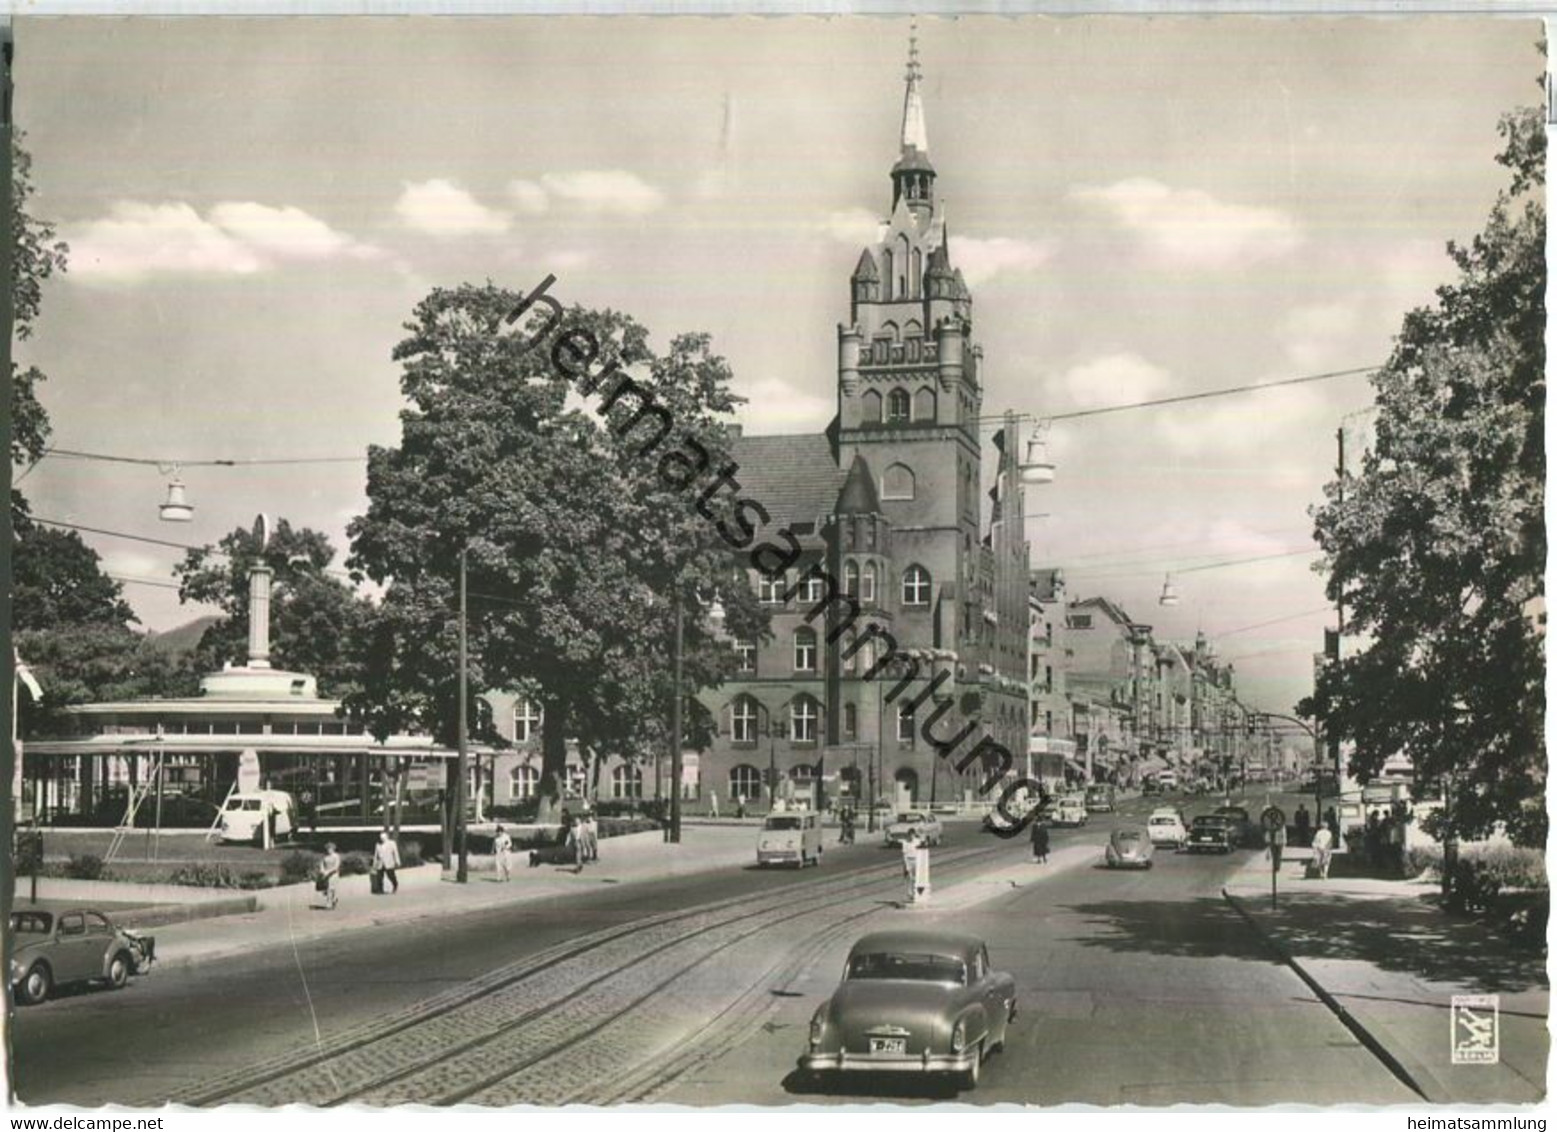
{"points": [[1385, 952]]}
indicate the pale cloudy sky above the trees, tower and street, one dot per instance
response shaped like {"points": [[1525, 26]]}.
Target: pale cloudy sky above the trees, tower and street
{"points": [[1144, 209]]}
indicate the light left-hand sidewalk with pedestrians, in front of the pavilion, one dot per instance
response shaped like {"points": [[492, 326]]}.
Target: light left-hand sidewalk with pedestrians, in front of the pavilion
{"points": [[297, 915]]}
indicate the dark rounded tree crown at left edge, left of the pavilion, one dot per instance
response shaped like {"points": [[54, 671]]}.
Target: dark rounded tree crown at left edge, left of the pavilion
{"points": [[58, 583]]}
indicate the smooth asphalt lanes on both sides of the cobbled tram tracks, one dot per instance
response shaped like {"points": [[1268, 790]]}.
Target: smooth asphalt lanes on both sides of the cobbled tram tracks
{"points": [[1136, 988]]}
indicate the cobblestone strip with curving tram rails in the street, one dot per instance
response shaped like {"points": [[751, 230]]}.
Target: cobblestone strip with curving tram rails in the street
{"points": [[571, 1022]]}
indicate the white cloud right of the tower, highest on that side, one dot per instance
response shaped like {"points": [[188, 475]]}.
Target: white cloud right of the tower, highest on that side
{"points": [[1189, 228]]}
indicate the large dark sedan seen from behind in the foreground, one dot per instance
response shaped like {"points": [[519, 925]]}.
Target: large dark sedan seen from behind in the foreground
{"points": [[913, 1002]]}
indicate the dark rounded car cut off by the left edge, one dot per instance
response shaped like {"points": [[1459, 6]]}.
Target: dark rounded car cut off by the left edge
{"points": [[77, 946]]}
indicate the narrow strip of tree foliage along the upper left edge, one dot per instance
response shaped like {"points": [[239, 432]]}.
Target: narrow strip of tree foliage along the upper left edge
{"points": [[35, 256]]}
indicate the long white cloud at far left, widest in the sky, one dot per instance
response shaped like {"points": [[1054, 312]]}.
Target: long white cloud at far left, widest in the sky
{"points": [[234, 239]]}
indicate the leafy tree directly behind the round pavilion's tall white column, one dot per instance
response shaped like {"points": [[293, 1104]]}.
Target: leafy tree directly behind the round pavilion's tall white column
{"points": [[317, 619]]}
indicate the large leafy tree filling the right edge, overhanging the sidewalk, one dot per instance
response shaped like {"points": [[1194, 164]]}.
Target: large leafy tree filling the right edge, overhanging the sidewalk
{"points": [[1438, 547]]}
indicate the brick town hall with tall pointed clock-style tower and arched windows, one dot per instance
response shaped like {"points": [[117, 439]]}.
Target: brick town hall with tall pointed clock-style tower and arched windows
{"points": [[891, 501]]}
